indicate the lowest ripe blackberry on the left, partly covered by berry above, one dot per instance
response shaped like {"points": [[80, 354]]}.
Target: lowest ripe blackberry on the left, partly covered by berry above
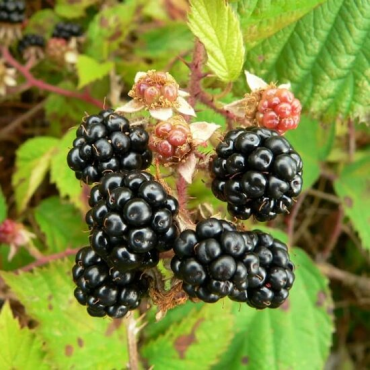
{"points": [[103, 290]]}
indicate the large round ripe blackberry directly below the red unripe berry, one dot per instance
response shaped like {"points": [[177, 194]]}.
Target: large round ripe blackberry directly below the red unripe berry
{"points": [[257, 172]]}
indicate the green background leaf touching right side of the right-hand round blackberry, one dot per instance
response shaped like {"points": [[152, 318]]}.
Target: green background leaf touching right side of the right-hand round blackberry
{"points": [[309, 141]]}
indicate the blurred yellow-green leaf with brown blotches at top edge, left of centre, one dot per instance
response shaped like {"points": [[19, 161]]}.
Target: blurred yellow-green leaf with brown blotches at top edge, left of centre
{"points": [[109, 28]]}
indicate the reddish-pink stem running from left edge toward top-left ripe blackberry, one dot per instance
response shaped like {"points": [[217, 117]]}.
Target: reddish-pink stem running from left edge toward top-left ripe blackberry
{"points": [[32, 81]]}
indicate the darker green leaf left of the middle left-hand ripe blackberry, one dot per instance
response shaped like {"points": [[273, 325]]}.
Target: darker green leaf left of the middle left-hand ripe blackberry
{"points": [[67, 232]]}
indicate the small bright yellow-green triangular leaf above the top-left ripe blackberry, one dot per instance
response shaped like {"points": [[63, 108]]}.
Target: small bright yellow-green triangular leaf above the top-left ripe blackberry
{"points": [[89, 70]]}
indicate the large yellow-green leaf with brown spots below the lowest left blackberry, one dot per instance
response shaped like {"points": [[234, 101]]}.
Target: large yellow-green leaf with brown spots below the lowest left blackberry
{"points": [[72, 338]]}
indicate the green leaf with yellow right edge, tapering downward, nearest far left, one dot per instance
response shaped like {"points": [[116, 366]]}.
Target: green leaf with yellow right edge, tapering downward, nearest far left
{"points": [[32, 163]]}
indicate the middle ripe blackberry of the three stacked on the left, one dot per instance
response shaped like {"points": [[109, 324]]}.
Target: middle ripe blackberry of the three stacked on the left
{"points": [[131, 220]]}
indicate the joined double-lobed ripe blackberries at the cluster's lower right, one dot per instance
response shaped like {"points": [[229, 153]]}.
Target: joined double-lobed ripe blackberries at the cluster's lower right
{"points": [[216, 261]]}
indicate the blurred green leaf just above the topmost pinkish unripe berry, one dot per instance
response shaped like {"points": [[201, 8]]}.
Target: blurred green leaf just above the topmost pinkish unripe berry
{"points": [[162, 42]]}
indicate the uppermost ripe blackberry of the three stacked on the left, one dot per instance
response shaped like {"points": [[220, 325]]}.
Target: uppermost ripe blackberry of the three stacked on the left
{"points": [[106, 143]]}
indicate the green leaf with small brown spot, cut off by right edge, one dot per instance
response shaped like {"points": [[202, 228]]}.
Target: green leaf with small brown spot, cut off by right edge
{"points": [[352, 187]]}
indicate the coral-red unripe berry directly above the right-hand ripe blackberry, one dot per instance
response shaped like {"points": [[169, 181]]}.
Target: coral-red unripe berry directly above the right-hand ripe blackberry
{"points": [[278, 110]]}
